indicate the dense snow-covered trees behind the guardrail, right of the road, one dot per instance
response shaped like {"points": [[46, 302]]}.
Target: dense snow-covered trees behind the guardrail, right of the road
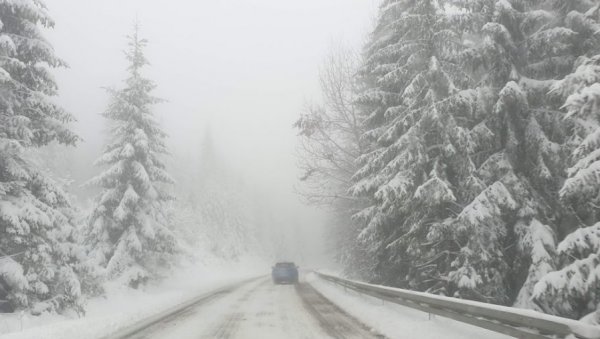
{"points": [[459, 152]]}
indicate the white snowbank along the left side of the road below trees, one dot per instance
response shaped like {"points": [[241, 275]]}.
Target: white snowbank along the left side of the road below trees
{"points": [[123, 306]]}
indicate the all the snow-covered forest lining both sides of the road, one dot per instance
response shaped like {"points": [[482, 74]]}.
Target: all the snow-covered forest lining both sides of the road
{"points": [[458, 153]]}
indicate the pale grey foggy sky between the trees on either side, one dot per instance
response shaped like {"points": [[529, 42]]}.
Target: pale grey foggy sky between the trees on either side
{"points": [[239, 70]]}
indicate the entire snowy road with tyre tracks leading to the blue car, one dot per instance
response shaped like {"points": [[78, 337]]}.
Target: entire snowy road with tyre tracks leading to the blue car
{"points": [[260, 309]]}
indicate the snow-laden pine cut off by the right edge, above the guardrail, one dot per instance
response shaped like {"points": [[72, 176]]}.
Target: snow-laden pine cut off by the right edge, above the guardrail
{"points": [[572, 291]]}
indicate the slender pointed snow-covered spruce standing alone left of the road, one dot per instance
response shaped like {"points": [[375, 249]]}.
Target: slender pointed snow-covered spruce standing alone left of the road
{"points": [[129, 231]]}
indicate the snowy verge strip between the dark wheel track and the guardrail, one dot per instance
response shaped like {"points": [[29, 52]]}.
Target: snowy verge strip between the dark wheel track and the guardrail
{"points": [[395, 321]]}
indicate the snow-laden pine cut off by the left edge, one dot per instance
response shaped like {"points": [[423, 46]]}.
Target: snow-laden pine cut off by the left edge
{"points": [[38, 255]]}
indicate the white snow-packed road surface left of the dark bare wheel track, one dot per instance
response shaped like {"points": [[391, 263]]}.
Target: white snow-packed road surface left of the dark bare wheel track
{"points": [[257, 310]]}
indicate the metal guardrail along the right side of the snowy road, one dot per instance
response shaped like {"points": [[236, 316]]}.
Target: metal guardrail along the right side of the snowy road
{"points": [[518, 323]]}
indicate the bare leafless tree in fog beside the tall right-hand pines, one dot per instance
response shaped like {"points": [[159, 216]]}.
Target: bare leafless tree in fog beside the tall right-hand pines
{"points": [[330, 143]]}
